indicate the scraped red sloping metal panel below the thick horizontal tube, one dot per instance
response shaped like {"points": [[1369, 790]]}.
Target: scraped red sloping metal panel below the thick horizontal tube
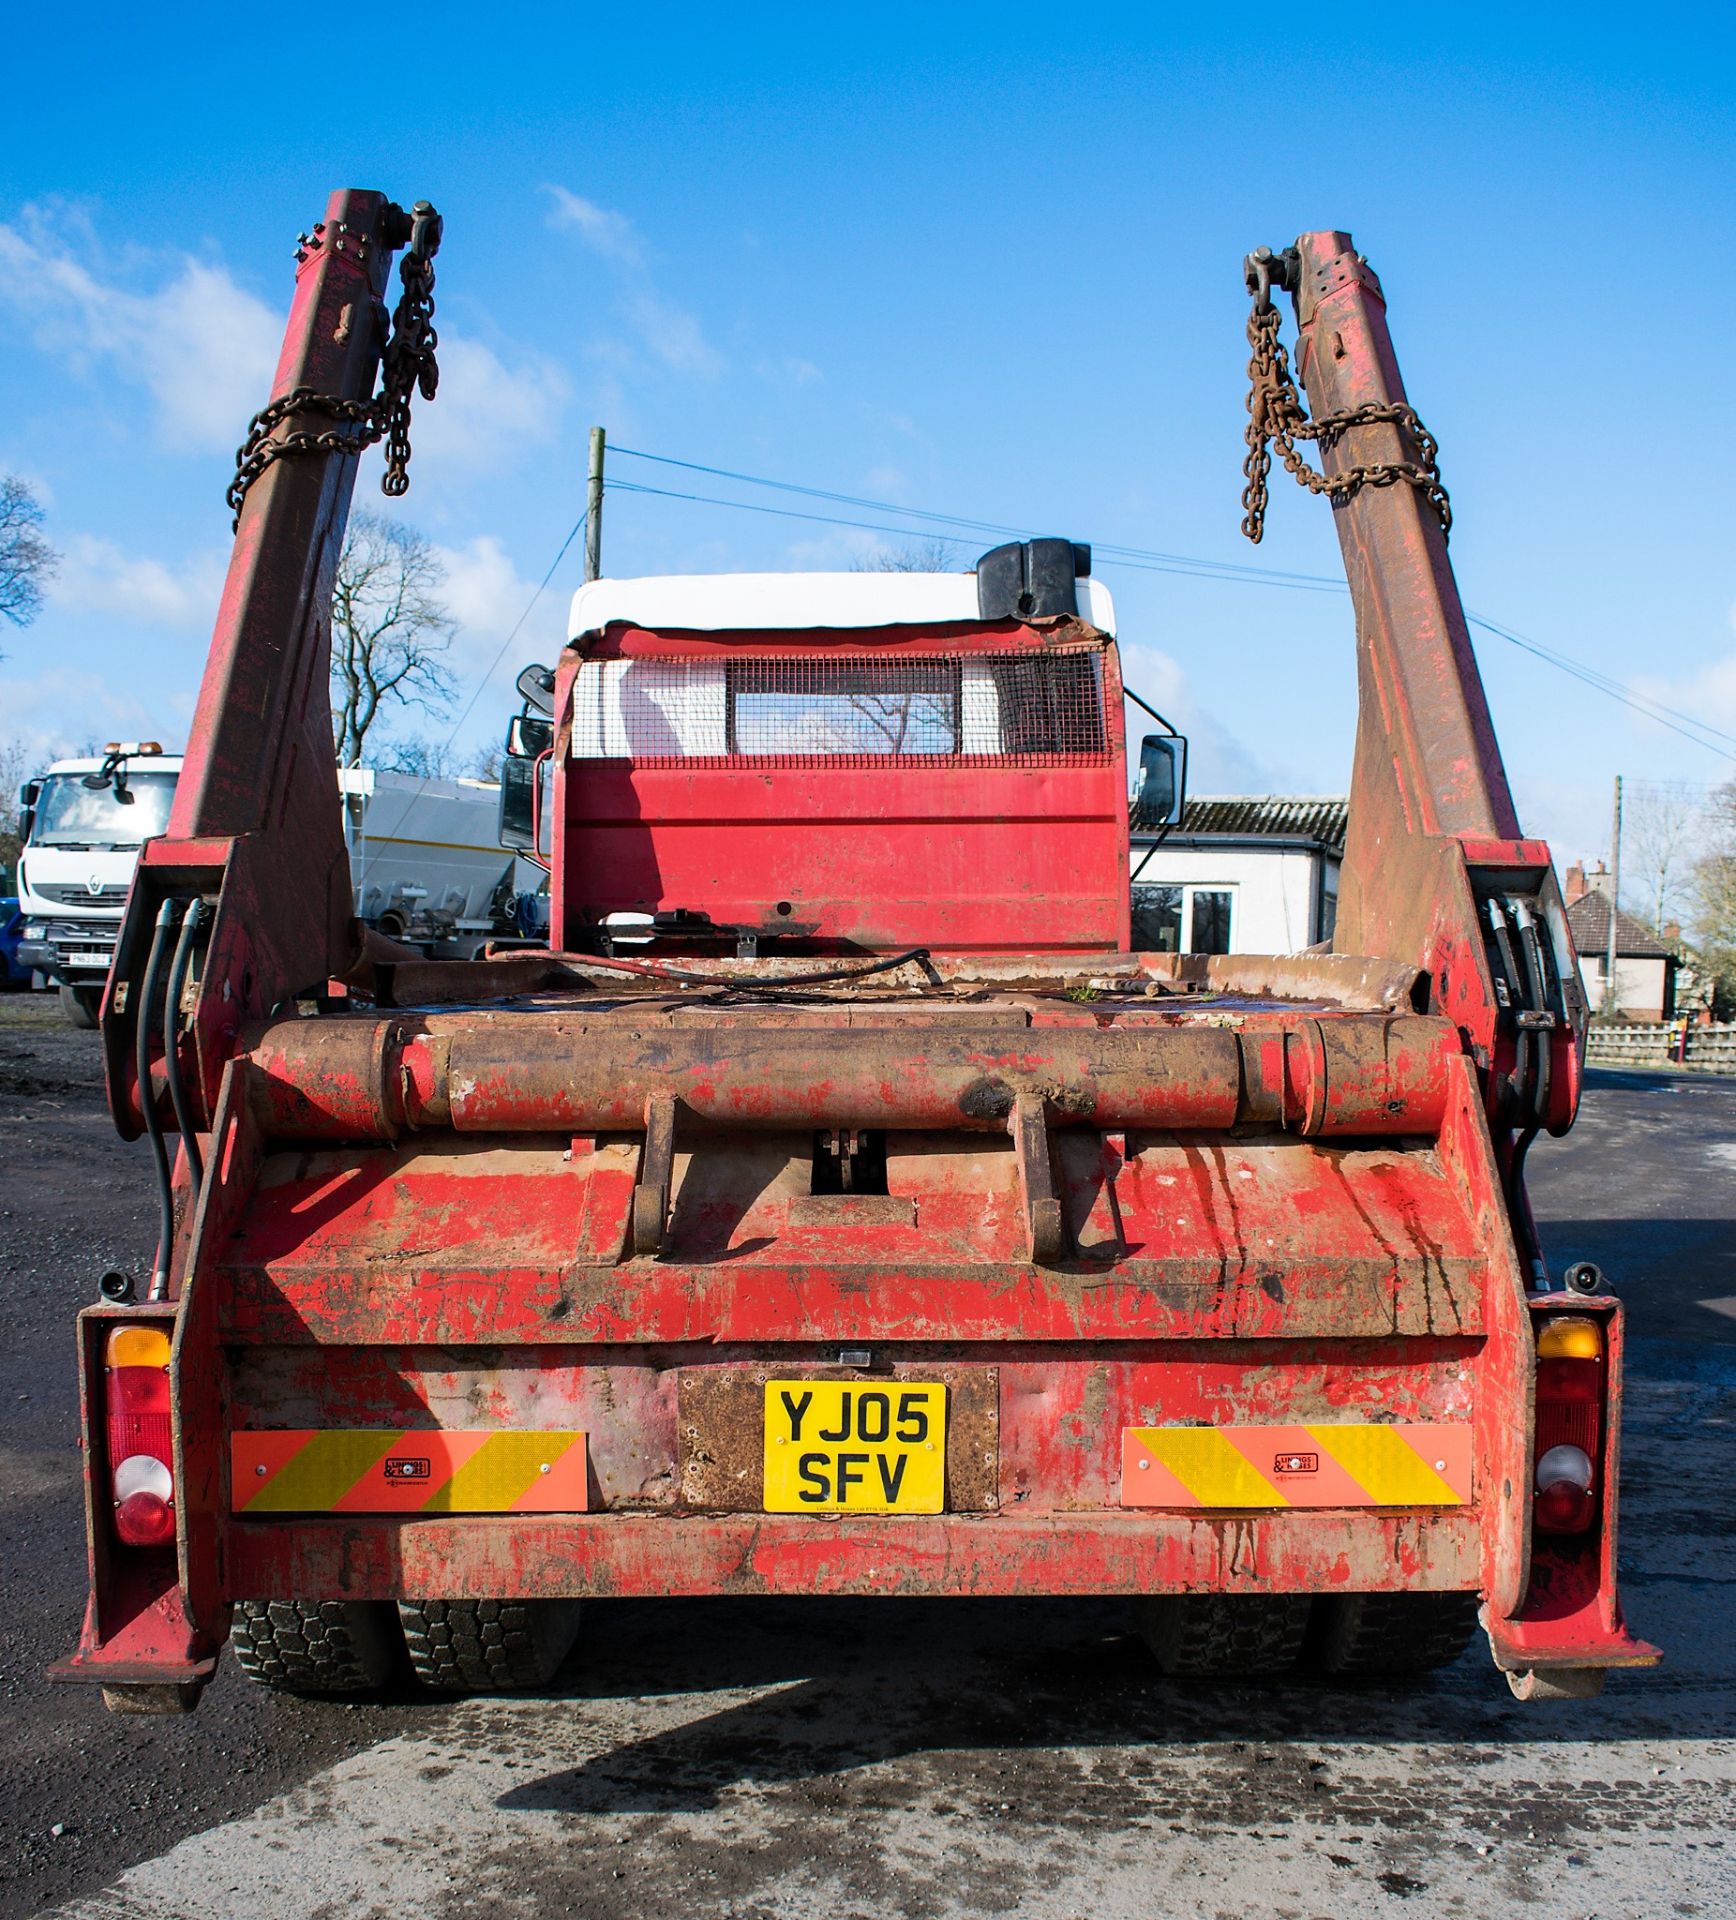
{"points": [[1240, 1239]]}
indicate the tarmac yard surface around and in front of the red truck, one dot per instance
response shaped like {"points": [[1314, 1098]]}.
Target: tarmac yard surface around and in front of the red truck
{"points": [[896, 1758]]}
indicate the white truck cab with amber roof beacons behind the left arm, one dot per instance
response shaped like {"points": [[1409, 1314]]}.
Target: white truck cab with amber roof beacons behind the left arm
{"points": [[84, 825]]}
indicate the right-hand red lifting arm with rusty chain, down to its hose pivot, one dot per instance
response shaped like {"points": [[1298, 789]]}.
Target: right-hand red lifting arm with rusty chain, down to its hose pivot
{"points": [[1435, 867]]}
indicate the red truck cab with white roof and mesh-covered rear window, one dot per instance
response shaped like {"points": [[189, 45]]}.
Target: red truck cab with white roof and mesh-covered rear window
{"points": [[844, 763]]}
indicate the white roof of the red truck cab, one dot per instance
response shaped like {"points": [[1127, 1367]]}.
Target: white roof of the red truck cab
{"points": [[733, 604]]}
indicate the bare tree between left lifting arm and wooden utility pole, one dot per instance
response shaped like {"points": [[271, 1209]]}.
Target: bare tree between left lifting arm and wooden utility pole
{"points": [[389, 631]]}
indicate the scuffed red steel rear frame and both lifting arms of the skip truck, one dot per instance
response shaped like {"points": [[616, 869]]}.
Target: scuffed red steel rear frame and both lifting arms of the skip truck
{"points": [[1076, 1068]]}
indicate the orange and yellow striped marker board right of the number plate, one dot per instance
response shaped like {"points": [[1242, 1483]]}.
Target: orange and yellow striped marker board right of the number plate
{"points": [[1409, 1464]]}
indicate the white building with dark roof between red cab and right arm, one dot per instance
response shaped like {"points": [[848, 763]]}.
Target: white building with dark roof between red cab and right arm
{"points": [[1243, 875]]}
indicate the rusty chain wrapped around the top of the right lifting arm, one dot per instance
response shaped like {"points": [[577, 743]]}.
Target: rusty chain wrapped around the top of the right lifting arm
{"points": [[1276, 420]]}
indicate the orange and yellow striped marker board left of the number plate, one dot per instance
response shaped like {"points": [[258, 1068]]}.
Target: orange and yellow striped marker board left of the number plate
{"points": [[362, 1470]]}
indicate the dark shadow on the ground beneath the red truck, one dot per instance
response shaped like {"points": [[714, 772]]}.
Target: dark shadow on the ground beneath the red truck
{"points": [[965, 1687]]}
